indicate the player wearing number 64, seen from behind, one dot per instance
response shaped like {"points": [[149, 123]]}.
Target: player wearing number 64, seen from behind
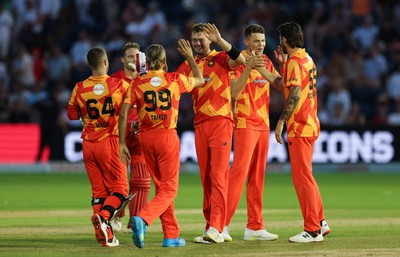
{"points": [[97, 100]]}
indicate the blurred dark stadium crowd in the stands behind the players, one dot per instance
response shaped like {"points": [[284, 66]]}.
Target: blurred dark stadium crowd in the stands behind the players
{"points": [[43, 46]]}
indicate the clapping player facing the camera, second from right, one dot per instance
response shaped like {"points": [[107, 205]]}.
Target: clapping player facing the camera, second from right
{"points": [[251, 134]]}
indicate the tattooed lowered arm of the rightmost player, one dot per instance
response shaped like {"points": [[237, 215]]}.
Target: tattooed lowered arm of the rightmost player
{"points": [[291, 103]]}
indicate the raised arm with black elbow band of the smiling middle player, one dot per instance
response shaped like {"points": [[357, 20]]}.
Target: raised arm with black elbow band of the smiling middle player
{"points": [[236, 57]]}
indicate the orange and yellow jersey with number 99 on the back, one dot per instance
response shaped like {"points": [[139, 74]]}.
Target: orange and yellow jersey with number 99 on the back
{"points": [[157, 96]]}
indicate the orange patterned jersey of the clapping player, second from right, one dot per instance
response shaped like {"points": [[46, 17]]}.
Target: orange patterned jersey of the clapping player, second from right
{"points": [[252, 106]]}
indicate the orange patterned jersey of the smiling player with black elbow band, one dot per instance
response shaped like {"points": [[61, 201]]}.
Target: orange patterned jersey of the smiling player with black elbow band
{"points": [[214, 97]]}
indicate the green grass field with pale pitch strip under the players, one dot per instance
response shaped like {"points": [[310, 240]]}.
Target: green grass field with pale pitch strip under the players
{"points": [[49, 215]]}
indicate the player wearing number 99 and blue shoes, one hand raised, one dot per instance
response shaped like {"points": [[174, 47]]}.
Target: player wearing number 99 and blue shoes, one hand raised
{"points": [[157, 96]]}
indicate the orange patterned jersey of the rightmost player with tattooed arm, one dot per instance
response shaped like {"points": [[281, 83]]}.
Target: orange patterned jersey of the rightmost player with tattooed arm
{"points": [[300, 71]]}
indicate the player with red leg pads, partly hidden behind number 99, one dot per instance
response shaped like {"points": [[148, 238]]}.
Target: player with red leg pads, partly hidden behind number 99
{"points": [[139, 182]]}
